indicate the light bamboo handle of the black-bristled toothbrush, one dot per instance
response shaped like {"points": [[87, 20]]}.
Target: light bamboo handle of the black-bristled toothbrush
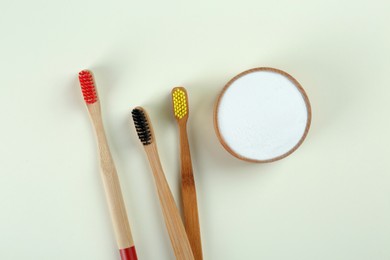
{"points": [[173, 222]]}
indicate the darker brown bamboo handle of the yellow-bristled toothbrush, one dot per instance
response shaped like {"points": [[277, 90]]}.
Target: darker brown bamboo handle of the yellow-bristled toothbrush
{"points": [[189, 200]]}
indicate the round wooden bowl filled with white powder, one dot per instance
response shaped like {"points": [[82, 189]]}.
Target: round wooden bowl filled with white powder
{"points": [[301, 125]]}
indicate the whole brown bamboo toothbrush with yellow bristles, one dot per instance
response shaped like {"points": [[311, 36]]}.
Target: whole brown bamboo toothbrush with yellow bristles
{"points": [[188, 190]]}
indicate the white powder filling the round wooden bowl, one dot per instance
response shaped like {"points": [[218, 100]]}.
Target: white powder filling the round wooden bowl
{"points": [[262, 115]]}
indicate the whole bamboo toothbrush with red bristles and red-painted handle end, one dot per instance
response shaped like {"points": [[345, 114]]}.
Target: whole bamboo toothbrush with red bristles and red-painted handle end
{"points": [[108, 171]]}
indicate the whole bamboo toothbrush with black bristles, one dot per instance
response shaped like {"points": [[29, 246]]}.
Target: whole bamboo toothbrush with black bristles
{"points": [[173, 222]]}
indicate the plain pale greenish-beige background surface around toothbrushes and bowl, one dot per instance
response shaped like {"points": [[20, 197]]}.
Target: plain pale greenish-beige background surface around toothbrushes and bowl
{"points": [[329, 200]]}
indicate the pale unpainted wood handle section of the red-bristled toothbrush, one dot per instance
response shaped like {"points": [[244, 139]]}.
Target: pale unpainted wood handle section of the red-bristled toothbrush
{"points": [[111, 182]]}
